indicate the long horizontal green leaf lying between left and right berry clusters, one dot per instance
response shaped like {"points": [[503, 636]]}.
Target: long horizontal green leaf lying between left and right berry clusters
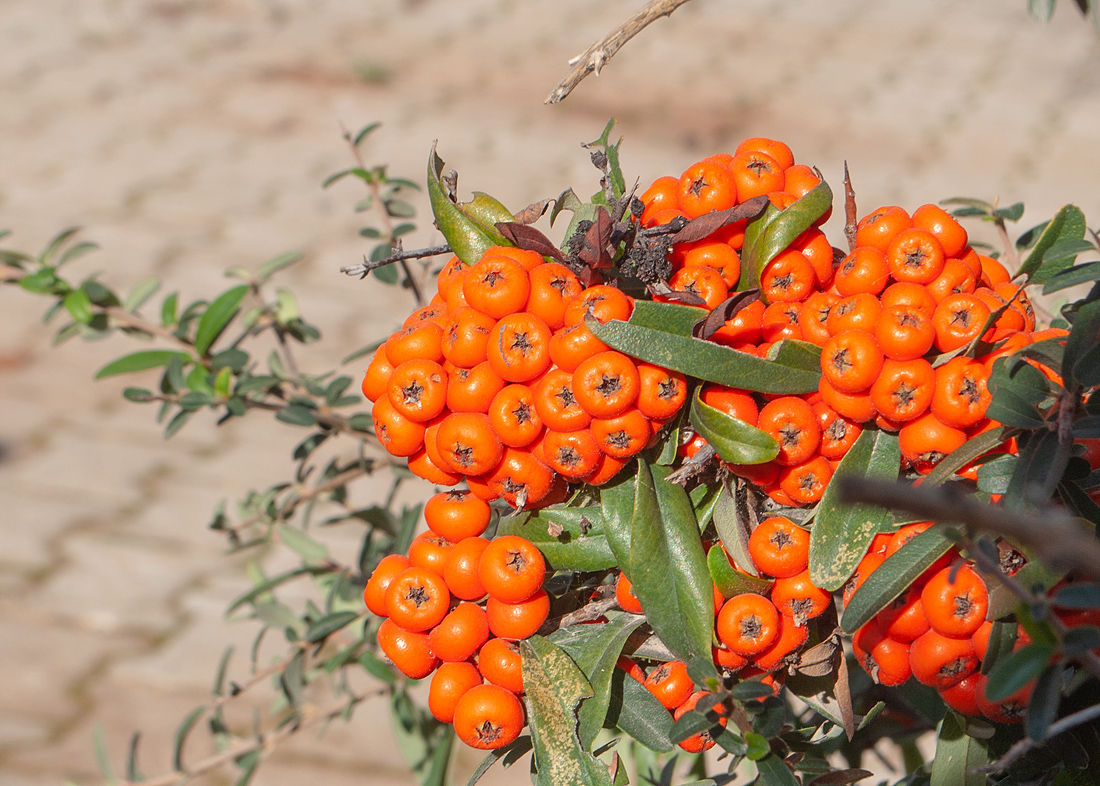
{"points": [[710, 362]]}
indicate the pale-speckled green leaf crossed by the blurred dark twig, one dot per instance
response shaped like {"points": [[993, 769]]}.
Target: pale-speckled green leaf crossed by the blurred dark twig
{"points": [[842, 534]]}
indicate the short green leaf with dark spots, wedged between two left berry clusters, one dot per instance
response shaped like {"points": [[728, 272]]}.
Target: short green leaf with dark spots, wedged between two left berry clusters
{"points": [[579, 546]]}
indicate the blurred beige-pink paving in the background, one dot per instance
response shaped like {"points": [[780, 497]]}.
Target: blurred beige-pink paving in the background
{"points": [[189, 137]]}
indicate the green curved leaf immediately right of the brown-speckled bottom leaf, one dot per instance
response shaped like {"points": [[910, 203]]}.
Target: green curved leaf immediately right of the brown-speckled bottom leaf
{"points": [[596, 649]]}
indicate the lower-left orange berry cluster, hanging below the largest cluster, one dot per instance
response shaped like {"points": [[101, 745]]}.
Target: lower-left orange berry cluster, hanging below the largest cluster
{"points": [[455, 608]]}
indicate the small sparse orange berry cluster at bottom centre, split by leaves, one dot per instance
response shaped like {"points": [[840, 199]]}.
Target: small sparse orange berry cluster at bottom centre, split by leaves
{"points": [[761, 635]]}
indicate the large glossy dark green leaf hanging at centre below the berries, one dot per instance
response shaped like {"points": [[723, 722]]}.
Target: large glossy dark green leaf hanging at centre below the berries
{"points": [[663, 557]]}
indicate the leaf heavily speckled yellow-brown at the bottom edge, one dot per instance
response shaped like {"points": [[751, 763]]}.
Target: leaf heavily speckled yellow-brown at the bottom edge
{"points": [[556, 688]]}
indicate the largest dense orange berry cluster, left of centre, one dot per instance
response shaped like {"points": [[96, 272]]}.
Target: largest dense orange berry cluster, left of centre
{"points": [[500, 382]]}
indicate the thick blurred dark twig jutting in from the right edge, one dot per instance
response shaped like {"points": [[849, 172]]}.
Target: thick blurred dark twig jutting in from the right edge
{"points": [[1054, 536]]}
